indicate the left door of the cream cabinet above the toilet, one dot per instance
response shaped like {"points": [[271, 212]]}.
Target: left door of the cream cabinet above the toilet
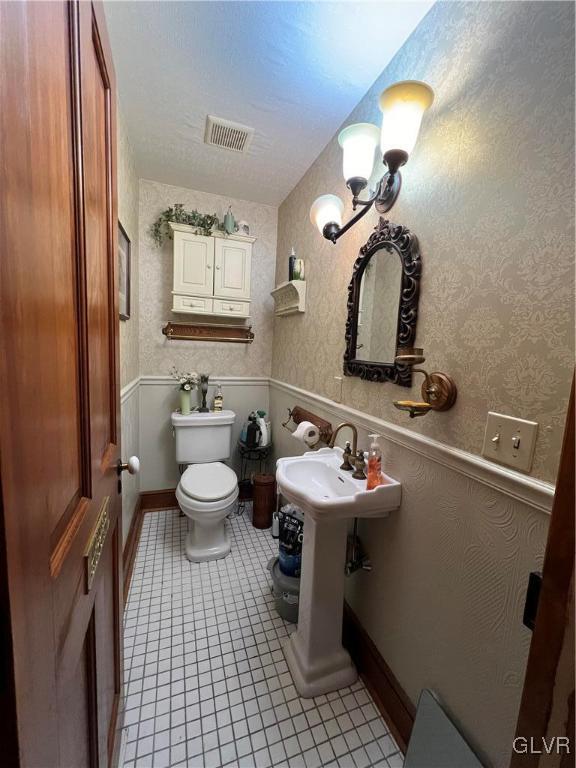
{"points": [[193, 264]]}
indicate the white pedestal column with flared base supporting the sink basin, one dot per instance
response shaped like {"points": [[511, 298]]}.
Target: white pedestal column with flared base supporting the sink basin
{"points": [[314, 653]]}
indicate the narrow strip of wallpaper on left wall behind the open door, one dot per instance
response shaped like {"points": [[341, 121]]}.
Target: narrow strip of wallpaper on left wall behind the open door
{"points": [[128, 216]]}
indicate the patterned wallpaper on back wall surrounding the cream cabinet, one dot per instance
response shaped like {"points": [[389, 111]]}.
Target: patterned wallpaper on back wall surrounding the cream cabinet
{"points": [[157, 355]]}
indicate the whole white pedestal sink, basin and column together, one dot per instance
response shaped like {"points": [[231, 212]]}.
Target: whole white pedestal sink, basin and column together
{"points": [[329, 497]]}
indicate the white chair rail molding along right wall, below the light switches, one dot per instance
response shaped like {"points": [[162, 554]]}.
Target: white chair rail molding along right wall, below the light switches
{"points": [[529, 490]]}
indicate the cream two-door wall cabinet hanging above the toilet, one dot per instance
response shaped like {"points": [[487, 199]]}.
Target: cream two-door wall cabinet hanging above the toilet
{"points": [[211, 274]]}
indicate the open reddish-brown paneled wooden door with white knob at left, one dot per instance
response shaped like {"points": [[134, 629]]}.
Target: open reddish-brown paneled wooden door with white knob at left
{"points": [[59, 410]]}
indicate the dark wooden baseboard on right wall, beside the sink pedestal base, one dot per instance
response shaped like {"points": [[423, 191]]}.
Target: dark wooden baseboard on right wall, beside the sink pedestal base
{"points": [[389, 696]]}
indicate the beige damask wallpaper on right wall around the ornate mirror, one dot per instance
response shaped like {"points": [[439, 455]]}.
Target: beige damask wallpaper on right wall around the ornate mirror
{"points": [[489, 191]]}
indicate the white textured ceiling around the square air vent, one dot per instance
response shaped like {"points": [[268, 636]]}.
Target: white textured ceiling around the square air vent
{"points": [[291, 70]]}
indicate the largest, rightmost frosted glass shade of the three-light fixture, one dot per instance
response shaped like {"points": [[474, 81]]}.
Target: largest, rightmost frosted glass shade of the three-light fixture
{"points": [[403, 106]]}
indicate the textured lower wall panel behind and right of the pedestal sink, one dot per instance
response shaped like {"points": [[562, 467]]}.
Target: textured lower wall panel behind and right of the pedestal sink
{"points": [[444, 601]]}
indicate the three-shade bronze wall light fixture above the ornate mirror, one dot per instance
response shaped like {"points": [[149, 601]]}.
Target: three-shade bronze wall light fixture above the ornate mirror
{"points": [[402, 106]]}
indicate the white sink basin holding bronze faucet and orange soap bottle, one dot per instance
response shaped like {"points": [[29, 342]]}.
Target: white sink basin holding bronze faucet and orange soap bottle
{"points": [[315, 482]]}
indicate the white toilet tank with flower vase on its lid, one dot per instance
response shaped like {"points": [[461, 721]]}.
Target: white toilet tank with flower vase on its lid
{"points": [[203, 437]]}
